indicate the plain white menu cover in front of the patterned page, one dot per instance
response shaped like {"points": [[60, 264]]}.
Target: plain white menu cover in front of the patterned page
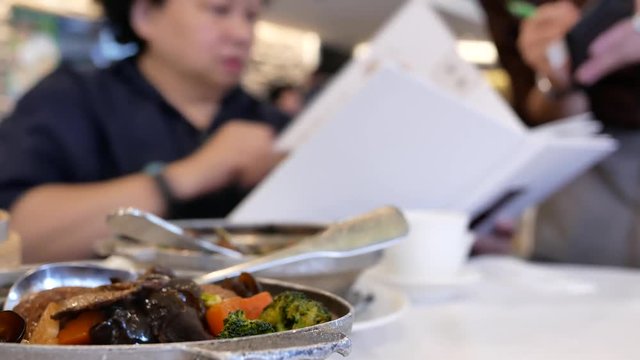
{"points": [[400, 140]]}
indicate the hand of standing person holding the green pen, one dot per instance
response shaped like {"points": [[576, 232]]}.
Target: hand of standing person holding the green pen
{"points": [[548, 26]]}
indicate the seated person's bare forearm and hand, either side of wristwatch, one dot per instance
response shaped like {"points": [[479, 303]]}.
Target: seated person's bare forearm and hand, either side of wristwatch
{"points": [[59, 222]]}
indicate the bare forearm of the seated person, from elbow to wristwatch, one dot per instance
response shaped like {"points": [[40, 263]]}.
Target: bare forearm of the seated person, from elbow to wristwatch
{"points": [[61, 222]]}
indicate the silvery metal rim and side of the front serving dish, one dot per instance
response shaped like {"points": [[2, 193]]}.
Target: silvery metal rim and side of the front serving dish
{"points": [[315, 342]]}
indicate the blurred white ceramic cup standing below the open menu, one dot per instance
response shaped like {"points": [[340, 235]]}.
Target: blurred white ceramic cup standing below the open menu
{"points": [[435, 249]]}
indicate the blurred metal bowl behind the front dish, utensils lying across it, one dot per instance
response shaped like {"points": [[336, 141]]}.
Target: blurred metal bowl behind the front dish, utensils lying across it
{"points": [[335, 275]]}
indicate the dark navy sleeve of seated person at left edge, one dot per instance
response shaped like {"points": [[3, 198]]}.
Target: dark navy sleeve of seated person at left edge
{"points": [[42, 139]]}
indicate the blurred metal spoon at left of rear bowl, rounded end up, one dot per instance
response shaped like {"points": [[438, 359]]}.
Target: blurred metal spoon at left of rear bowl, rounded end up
{"points": [[150, 229]]}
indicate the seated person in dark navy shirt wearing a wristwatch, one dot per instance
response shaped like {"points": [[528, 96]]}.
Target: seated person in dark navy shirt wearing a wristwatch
{"points": [[168, 131]]}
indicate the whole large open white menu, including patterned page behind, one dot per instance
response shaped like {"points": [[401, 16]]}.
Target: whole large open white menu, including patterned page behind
{"points": [[414, 126]]}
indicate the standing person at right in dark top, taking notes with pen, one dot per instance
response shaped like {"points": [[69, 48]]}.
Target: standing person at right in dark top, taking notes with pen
{"points": [[594, 219]]}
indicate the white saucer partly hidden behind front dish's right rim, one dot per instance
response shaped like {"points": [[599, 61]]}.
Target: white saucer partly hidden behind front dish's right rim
{"points": [[387, 305]]}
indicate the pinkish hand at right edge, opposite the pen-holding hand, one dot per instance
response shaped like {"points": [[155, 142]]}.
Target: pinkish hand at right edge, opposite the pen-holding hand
{"points": [[612, 50]]}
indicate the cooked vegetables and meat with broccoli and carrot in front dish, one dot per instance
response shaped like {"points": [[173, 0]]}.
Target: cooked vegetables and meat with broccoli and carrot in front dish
{"points": [[159, 309]]}
